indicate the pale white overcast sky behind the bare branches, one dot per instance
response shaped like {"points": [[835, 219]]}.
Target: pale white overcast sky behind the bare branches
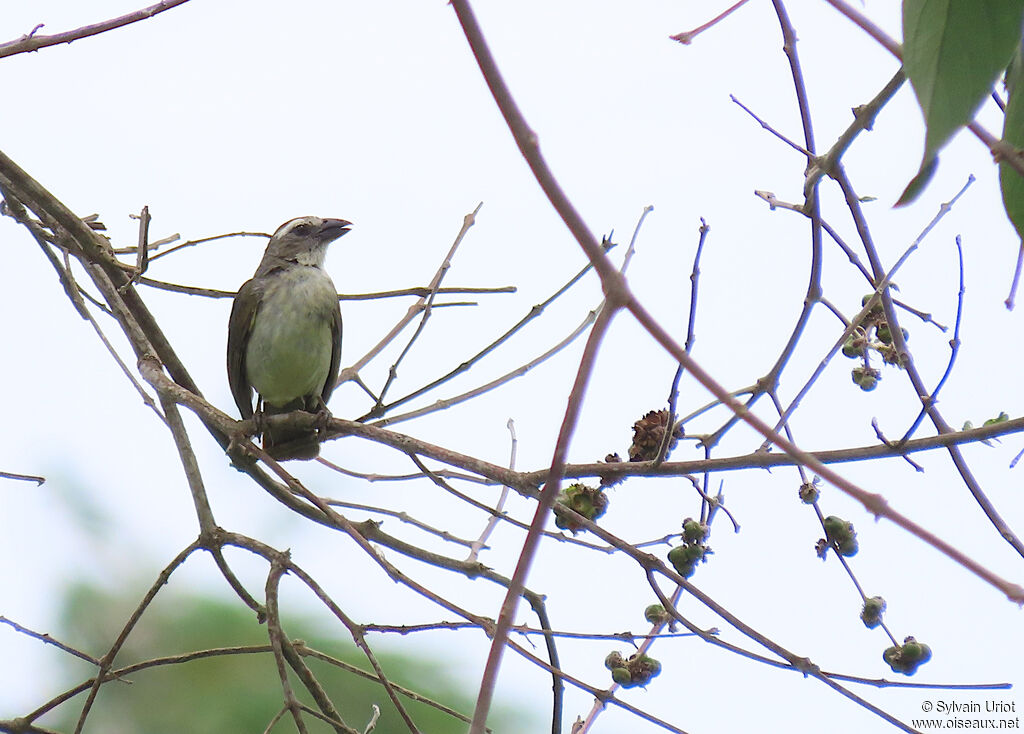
{"points": [[226, 117]]}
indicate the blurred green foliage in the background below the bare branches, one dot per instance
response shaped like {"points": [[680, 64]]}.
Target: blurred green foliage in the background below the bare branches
{"points": [[237, 694]]}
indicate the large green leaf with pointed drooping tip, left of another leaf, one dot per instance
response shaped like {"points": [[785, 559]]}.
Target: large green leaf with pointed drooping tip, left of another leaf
{"points": [[954, 51]]}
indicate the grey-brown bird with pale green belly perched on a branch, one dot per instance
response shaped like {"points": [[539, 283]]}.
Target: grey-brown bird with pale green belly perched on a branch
{"points": [[284, 336]]}
